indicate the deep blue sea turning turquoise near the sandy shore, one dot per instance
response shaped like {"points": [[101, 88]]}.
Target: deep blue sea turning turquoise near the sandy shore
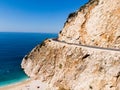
{"points": [[13, 47]]}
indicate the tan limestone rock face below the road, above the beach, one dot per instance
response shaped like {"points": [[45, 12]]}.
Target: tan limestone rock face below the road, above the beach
{"points": [[73, 67]]}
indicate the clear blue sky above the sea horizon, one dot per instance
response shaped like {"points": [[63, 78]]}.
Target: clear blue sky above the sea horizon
{"points": [[36, 15]]}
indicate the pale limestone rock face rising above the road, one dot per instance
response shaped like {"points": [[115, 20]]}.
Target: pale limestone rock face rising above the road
{"points": [[96, 24]]}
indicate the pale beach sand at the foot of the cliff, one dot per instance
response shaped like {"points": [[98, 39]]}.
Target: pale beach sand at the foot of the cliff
{"points": [[27, 85]]}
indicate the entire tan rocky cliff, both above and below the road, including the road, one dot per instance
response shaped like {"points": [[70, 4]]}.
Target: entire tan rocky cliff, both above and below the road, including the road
{"points": [[85, 55]]}
